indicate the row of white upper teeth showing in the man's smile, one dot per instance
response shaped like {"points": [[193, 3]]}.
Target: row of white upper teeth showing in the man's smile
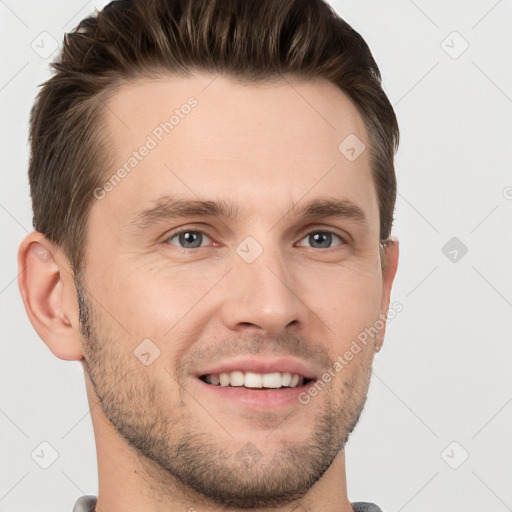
{"points": [[255, 380]]}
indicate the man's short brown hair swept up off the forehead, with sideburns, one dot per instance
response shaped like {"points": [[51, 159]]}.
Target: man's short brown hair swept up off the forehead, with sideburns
{"points": [[248, 40]]}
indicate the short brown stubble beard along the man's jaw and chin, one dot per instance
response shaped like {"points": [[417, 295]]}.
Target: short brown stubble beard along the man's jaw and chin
{"points": [[179, 450]]}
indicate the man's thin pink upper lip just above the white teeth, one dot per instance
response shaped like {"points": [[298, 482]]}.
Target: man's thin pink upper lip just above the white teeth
{"points": [[258, 365]]}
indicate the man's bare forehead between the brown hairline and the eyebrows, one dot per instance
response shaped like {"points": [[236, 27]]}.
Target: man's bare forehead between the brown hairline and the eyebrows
{"points": [[208, 136]]}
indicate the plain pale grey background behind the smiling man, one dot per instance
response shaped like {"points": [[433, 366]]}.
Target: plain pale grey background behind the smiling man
{"points": [[443, 375]]}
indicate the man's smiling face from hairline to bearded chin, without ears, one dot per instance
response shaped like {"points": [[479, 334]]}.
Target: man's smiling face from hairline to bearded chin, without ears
{"points": [[241, 240]]}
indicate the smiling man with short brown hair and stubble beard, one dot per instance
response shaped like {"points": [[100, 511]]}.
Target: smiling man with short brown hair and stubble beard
{"points": [[213, 192]]}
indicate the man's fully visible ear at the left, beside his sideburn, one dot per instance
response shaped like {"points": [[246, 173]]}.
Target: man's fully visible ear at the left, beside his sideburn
{"points": [[45, 280]]}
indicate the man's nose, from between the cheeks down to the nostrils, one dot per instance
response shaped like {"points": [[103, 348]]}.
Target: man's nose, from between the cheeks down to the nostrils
{"points": [[263, 297]]}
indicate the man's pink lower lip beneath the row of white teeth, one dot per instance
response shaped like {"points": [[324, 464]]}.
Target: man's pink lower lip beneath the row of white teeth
{"points": [[258, 398]]}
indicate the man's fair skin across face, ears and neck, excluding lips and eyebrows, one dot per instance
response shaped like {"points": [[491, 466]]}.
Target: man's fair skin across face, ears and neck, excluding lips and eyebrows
{"points": [[162, 444]]}
